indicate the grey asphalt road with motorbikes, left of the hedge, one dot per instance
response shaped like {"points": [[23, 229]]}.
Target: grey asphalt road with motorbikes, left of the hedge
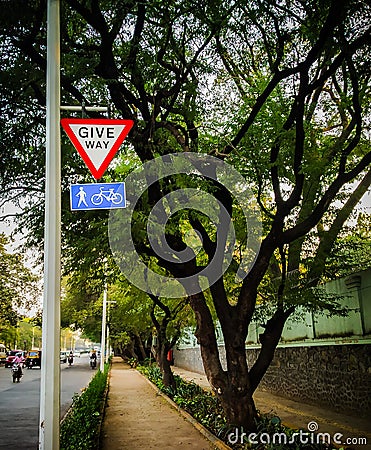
{"points": [[20, 402]]}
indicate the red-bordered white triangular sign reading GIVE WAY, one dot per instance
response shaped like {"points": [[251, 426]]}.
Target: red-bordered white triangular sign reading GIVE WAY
{"points": [[97, 140]]}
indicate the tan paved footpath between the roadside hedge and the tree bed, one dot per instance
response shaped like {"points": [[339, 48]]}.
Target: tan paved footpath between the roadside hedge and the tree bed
{"points": [[137, 417]]}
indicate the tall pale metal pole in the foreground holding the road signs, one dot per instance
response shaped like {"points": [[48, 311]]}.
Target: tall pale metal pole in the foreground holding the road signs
{"points": [[50, 368]]}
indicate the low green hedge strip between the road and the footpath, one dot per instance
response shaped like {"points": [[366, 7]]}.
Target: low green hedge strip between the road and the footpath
{"points": [[80, 429]]}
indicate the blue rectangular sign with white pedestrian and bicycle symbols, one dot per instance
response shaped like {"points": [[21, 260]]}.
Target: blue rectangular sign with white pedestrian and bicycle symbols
{"points": [[97, 196]]}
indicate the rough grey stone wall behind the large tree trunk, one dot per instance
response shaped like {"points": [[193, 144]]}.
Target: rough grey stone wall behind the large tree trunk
{"points": [[337, 377]]}
